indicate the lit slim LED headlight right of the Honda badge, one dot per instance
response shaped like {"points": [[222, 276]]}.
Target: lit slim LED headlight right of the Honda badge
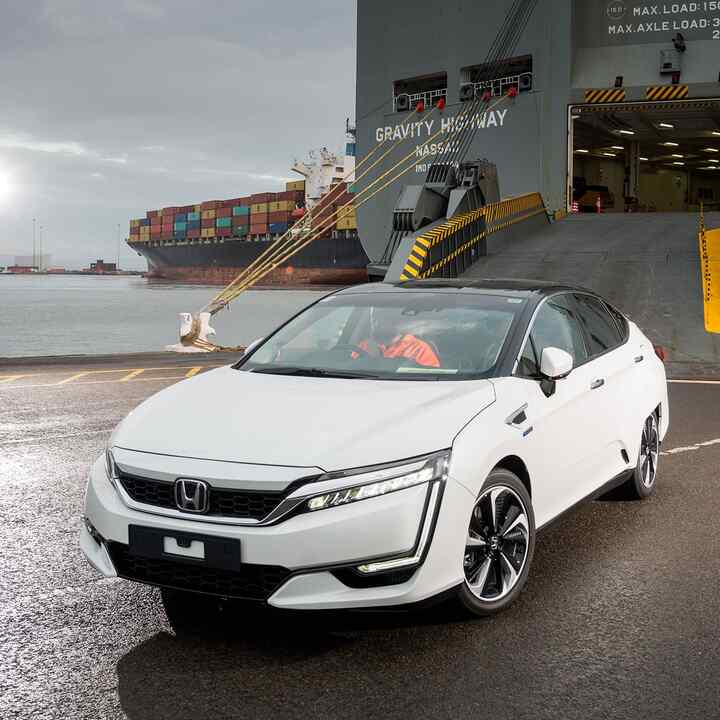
{"points": [[376, 482]]}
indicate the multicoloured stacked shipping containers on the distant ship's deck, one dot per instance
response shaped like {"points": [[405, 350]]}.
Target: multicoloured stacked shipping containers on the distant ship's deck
{"points": [[255, 216]]}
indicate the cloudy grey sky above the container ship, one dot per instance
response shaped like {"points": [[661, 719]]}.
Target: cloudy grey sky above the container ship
{"points": [[110, 109]]}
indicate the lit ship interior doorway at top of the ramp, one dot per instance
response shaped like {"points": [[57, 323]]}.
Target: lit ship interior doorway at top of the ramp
{"points": [[644, 157]]}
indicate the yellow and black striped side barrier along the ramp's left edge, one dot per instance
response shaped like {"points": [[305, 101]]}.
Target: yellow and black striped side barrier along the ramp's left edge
{"points": [[497, 216]]}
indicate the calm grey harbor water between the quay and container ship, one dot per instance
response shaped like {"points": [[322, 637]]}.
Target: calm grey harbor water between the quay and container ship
{"points": [[69, 315]]}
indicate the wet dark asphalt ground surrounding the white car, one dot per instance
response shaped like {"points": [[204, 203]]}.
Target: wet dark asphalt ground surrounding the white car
{"points": [[619, 618]]}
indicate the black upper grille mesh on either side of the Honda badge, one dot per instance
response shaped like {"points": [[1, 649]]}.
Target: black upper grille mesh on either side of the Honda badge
{"points": [[223, 501]]}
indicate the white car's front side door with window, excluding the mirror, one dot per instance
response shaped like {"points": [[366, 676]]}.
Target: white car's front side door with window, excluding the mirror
{"points": [[560, 428]]}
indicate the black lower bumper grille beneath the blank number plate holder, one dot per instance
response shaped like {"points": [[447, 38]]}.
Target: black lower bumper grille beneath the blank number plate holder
{"points": [[252, 582]]}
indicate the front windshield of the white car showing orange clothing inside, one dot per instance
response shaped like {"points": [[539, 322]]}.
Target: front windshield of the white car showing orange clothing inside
{"points": [[386, 335]]}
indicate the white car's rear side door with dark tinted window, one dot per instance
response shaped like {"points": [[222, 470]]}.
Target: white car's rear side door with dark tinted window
{"points": [[615, 385]]}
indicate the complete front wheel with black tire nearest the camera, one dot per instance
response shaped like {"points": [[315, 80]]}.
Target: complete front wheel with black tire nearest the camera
{"points": [[498, 552]]}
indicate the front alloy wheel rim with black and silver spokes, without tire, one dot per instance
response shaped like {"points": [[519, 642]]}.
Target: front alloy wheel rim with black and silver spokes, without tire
{"points": [[497, 543]]}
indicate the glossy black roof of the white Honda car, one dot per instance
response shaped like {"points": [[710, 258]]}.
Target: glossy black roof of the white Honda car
{"points": [[489, 286]]}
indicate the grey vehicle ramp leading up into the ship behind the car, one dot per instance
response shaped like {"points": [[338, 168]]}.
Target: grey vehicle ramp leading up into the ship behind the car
{"points": [[647, 264]]}
